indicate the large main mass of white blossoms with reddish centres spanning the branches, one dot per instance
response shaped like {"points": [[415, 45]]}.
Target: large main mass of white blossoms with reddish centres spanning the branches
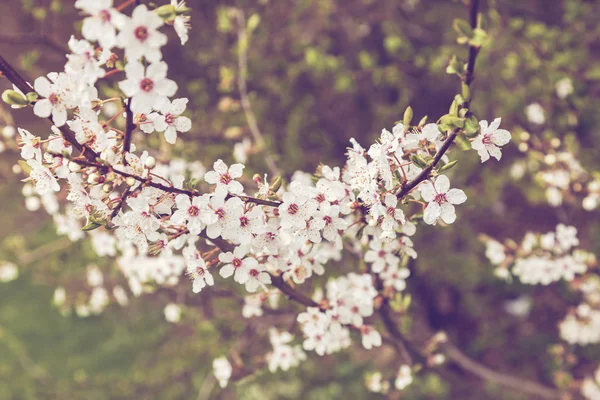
{"points": [[161, 220]]}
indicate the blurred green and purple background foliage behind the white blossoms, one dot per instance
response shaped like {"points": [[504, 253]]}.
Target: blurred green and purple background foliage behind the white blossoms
{"points": [[319, 73]]}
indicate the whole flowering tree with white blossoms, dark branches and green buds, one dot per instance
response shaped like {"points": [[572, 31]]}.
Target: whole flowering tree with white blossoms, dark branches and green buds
{"points": [[258, 240]]}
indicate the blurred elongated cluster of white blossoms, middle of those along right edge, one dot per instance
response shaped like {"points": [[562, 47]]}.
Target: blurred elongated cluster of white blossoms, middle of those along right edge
{"points": [[542, 258]]}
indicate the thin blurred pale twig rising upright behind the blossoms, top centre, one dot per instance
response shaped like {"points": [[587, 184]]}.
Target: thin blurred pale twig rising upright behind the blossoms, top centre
{"points": [[243, 43]]}
